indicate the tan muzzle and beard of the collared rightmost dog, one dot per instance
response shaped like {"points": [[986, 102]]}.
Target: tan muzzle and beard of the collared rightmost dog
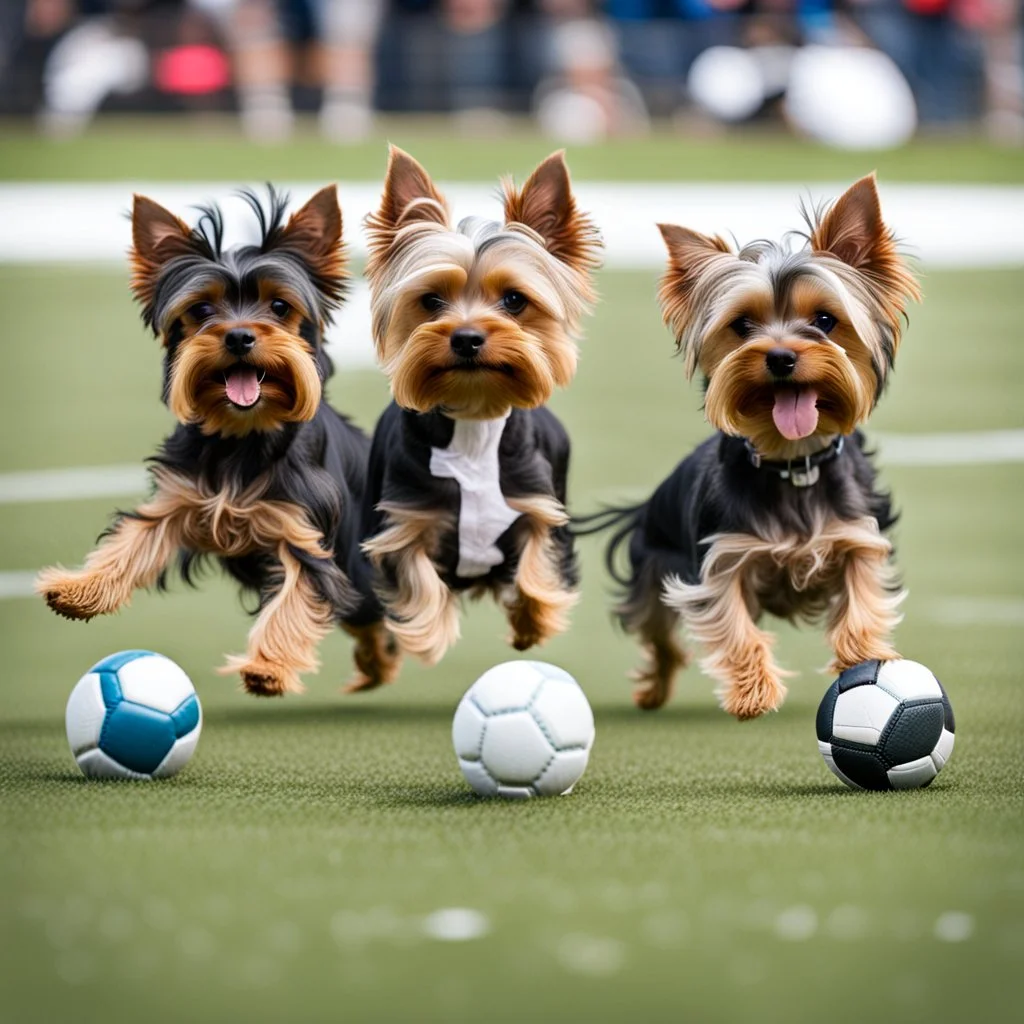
{"points": [[828, 395]]}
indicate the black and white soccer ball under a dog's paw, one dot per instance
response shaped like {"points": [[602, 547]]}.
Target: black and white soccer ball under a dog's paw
{"points": [[886, 726]]}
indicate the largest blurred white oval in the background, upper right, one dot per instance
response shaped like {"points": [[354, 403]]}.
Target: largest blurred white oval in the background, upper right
{"points": [[850, 98]]}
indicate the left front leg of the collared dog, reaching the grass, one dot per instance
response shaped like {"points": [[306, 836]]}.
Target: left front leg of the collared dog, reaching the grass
{"points": [[739, 655]]}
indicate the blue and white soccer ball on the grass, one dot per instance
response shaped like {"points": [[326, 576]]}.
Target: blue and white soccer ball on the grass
{"points": [[134, 715]]}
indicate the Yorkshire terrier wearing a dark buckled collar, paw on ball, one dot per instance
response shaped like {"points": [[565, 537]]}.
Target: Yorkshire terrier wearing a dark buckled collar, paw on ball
{"points": [[780, 510]]}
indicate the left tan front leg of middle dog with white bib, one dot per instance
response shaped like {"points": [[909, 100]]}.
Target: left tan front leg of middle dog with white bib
{"points": [[423, 614]]}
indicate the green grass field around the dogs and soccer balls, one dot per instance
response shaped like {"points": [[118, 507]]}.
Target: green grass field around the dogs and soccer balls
{"points": [[703, 870]]}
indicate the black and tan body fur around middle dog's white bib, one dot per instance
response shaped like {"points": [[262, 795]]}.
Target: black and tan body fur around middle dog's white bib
{"points": [[412, 518]]}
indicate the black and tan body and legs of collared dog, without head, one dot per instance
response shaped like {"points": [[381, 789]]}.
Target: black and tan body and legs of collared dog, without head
{"points": [[717, 521]]}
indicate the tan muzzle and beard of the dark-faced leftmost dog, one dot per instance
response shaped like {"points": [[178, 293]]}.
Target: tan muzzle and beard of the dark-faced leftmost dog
{"points": [[276, 383]]}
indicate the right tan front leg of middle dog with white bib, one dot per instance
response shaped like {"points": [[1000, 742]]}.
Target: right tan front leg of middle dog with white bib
{"points": [[539, 605]]}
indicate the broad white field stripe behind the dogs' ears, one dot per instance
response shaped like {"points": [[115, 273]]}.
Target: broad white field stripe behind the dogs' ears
{"points": [[53, 223]]}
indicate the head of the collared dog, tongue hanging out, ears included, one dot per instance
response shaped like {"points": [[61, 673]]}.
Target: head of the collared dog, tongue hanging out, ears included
{"points": [[796, 347]]}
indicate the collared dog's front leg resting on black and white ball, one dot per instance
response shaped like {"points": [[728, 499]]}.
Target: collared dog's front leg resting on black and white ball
{"points": [[865, 615]]}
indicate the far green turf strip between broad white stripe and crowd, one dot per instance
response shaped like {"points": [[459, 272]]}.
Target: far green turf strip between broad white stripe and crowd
{"points": [[212, 149]]}
